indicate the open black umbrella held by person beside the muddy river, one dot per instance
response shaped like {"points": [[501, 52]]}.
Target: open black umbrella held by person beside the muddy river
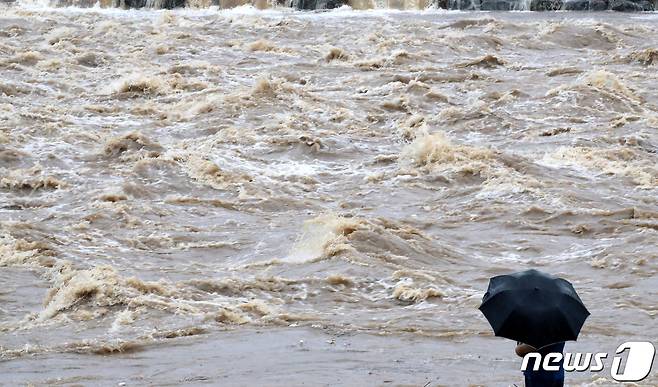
{"points": [[533, 307]]}
